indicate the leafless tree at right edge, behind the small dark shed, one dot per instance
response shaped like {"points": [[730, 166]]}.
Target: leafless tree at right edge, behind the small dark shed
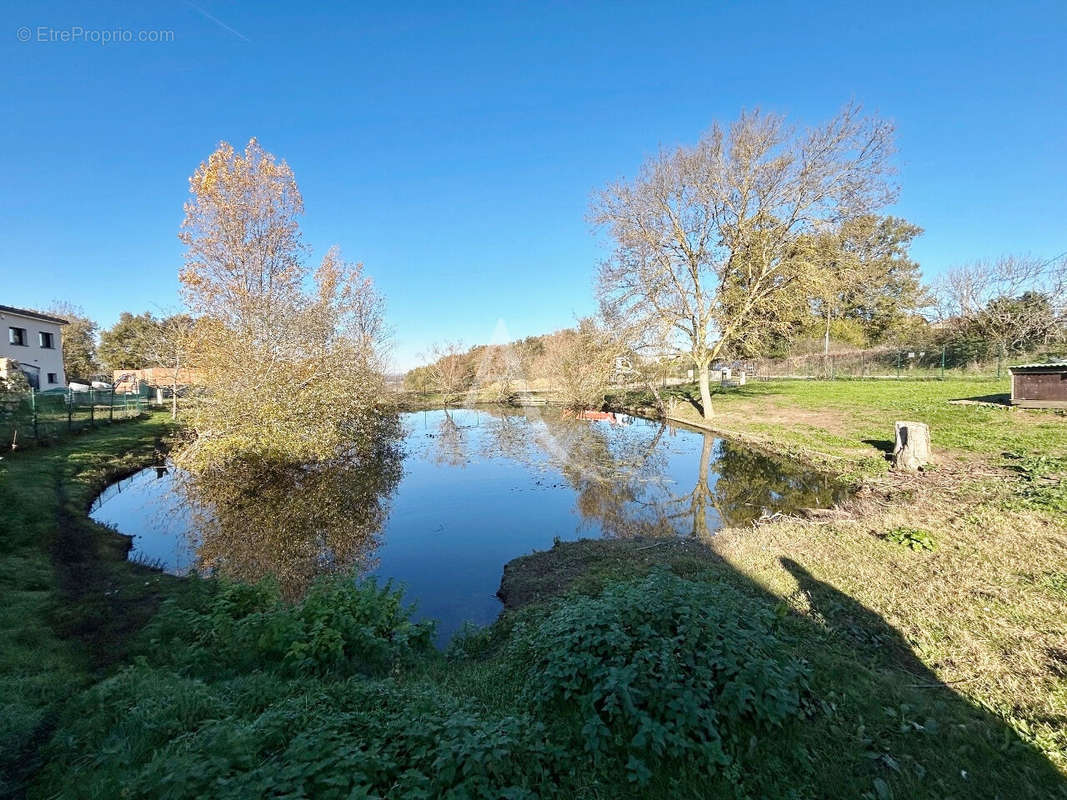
{"points": [[1013, 301]]}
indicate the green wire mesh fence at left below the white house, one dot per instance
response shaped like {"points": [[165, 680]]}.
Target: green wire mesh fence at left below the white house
{"points": [[42, 417]]}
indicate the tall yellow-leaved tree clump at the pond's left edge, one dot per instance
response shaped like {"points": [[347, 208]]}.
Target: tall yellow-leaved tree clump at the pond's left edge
{"points": [[290, 361]]}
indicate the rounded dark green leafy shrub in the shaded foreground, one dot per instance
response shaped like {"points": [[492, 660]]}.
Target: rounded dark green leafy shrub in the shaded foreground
{"points": [[663, 673]]}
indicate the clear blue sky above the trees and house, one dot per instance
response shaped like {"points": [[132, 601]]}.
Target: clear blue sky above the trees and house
{"points": [[453, 148]]}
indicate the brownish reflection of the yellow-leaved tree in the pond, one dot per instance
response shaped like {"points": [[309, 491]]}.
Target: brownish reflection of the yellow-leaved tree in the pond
{"points": [[254, 519]]}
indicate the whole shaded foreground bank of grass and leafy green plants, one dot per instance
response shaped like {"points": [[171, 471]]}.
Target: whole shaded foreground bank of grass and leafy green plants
{"points": [[214, 708]]}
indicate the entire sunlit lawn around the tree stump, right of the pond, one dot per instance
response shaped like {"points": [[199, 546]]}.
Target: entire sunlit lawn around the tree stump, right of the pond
{"points": [[985, 611]]}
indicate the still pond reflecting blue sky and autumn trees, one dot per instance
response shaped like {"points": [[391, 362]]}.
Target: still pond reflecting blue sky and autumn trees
{"points": [[451, 497]]}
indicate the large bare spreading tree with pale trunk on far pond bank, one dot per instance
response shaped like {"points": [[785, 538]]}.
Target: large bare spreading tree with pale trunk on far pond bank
{"points": [[711, 241]]}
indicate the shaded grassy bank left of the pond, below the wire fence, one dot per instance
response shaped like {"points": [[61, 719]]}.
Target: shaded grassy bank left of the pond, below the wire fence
{"points": [[72, 601]]}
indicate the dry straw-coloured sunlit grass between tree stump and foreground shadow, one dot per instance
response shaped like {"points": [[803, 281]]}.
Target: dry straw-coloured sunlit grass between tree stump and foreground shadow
{"points": [[980, 610]]}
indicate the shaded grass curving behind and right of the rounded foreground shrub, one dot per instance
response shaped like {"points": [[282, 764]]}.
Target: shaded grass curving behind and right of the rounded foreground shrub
{"points": [[880, 724]]}
